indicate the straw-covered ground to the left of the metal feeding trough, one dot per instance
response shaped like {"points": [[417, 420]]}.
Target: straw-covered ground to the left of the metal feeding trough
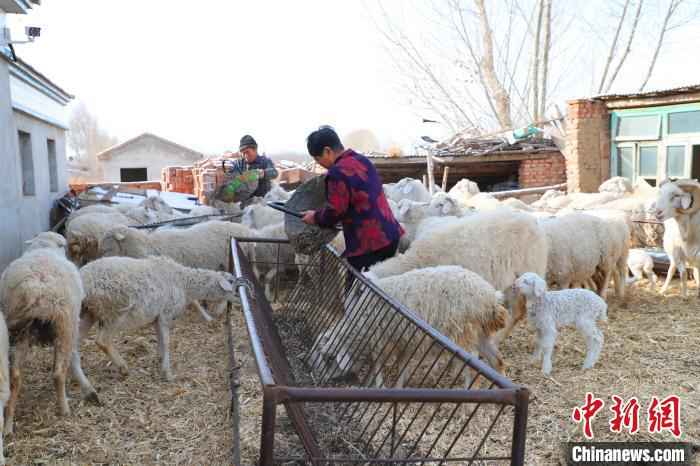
{"points": [[143, 420]]}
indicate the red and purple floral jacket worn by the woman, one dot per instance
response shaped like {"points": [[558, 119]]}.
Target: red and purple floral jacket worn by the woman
{"points": [[355, 198]]}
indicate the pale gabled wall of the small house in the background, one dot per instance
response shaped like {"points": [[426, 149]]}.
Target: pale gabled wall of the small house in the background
{"points": [[150, 153]]}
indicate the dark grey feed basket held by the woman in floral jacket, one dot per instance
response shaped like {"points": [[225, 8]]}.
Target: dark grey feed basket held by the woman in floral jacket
{"points": [[306, 239]]}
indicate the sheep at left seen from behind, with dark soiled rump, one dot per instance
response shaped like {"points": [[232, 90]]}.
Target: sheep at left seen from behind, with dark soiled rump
{"points": [[40, 296]]}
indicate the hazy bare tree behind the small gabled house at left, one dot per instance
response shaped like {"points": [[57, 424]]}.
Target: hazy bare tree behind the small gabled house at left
{"points": [[86, 139]]}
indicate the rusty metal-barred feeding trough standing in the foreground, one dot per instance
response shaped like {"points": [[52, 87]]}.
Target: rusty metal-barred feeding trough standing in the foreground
{"points": [[452, 407]]}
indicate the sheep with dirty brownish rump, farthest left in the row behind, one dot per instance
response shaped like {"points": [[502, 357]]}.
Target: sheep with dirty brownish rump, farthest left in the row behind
{"points": [[85, 233]]}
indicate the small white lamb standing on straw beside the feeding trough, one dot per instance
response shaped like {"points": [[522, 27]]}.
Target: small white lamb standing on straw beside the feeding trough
{"points": [[551, 310]]}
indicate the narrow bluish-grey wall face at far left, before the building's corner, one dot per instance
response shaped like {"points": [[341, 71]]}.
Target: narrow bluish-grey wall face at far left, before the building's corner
{"points": [[10, 187]]}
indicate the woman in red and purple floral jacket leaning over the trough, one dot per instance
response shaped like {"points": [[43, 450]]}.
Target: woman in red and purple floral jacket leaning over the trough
{"points": [[356, 199]]}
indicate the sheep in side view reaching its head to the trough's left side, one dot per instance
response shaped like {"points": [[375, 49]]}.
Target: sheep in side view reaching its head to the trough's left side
{"points": [[122, 293]]}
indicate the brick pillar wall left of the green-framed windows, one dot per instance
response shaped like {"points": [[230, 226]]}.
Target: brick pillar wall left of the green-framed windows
{"points": [[587, 145]]}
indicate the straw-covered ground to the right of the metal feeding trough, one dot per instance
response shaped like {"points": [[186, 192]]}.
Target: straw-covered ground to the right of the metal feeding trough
{"points": [[650, 349]]}
